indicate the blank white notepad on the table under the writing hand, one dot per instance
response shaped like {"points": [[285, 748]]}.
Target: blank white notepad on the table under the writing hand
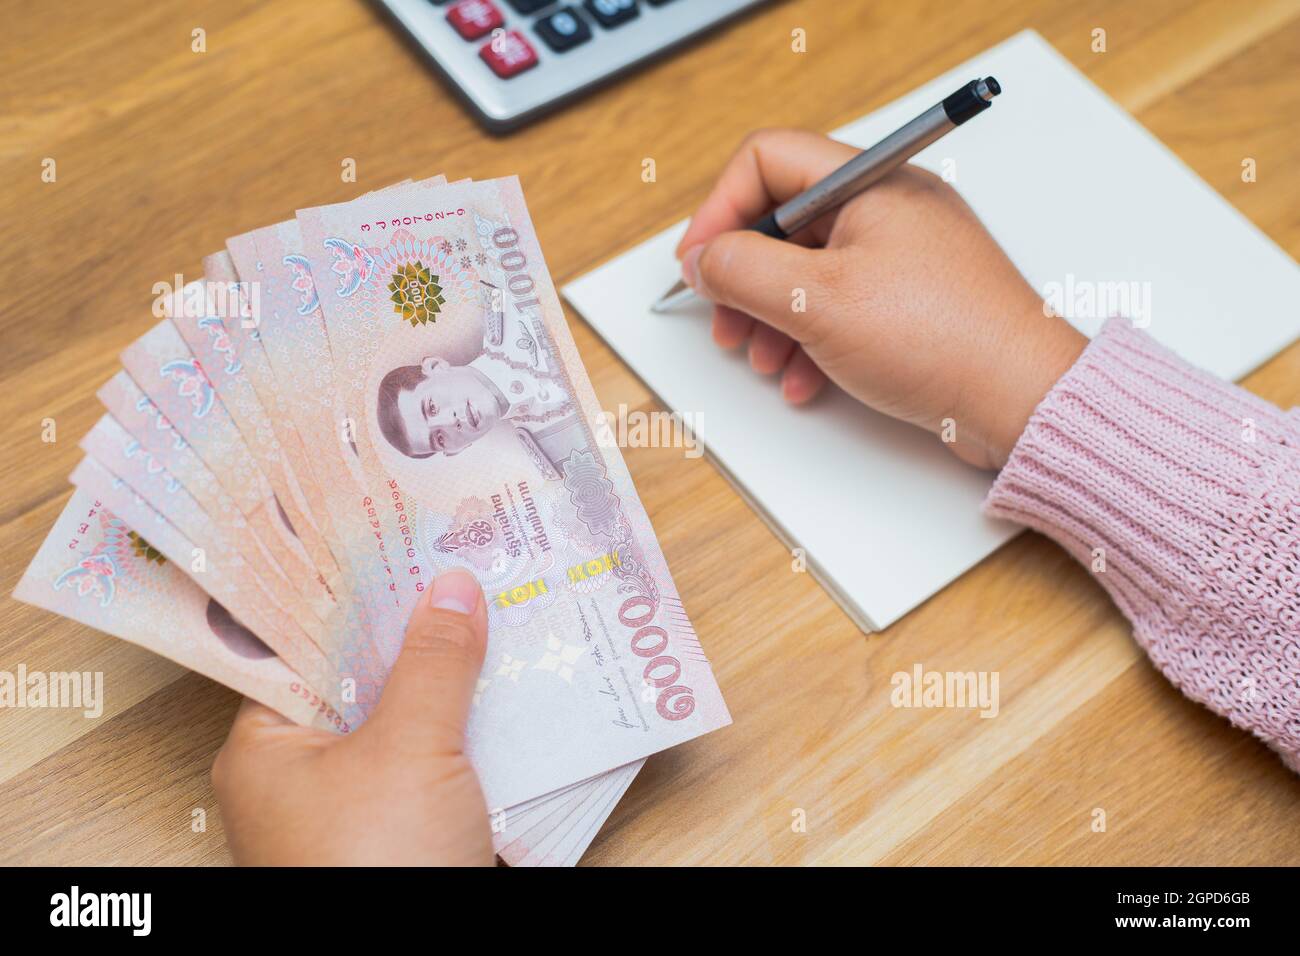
{"points": [[1071, 185]]}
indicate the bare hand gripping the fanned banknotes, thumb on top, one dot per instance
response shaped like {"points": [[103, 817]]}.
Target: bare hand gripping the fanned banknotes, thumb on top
{"points": [[400, 790]]}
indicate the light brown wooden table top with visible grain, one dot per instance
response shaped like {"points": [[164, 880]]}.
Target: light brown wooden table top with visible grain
{"points": [[163, 153]]}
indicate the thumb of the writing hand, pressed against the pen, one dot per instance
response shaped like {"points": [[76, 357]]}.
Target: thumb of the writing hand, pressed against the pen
{"points": [[761, 276]]}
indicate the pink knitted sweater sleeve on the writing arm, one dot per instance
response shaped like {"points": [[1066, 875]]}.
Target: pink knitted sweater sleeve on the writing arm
{"points": [[1182, 495]]}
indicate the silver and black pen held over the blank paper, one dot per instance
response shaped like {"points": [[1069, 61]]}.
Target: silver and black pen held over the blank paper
{"points": [[863, 171]]}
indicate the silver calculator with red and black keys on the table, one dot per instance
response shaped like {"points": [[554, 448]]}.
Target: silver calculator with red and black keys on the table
{"points": [[513, 60]]}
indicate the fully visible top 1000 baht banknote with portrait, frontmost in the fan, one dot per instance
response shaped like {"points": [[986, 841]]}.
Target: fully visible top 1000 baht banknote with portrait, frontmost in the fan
{"points": [[471, 417]]}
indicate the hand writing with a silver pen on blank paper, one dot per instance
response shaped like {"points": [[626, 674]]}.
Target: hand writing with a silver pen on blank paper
{"points": [[909, 305]]}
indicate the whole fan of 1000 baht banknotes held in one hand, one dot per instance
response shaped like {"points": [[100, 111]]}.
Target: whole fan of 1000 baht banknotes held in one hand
{"points": [[346, 405]]}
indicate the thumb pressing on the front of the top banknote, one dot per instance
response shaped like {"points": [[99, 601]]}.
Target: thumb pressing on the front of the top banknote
{"points": [[427, 700]]}
